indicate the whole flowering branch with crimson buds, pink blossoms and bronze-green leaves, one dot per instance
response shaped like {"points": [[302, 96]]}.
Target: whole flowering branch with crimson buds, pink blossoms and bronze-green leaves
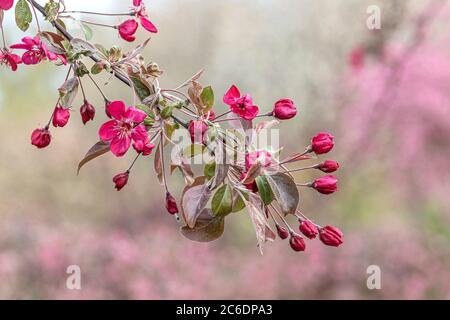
{"points": [[253, 178]]}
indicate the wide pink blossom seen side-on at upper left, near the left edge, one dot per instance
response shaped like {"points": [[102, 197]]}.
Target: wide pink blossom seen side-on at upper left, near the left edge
{"points": [[36, 51]]}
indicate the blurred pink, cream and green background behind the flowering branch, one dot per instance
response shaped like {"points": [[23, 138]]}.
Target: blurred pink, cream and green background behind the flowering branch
{"points": [[384, 94]]}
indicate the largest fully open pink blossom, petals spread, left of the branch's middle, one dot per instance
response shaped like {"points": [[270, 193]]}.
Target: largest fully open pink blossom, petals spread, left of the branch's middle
{"points": [[124, 128]]}
